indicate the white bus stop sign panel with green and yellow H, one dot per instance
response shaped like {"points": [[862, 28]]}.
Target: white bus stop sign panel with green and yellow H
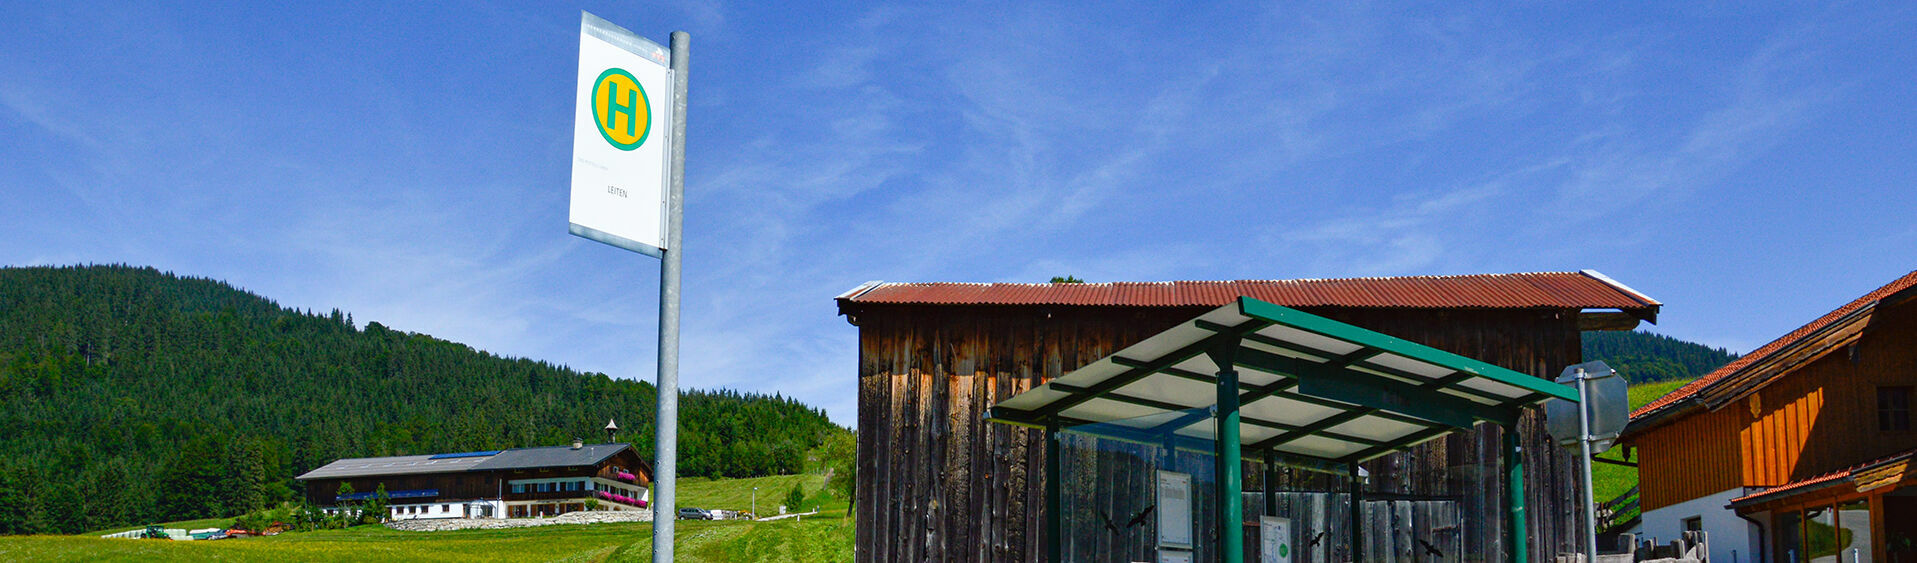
{"points": [[620, 139]]}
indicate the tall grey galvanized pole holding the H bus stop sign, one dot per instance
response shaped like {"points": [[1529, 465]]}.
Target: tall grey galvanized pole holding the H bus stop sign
{"points": [[666, 451]]}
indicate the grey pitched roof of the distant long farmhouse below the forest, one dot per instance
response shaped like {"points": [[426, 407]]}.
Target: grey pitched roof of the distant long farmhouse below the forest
{"points": [[522, 459]]}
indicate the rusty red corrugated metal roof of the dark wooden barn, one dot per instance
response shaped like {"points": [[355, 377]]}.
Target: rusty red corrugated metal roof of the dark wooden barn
{"points": [[1552, 290]]}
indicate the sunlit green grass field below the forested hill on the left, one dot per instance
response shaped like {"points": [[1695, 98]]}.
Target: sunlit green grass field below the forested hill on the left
{"points": [[825, 537]]}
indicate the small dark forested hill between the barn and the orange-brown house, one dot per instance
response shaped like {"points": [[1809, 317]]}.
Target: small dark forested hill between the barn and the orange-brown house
{"points": [[1648, 357]]}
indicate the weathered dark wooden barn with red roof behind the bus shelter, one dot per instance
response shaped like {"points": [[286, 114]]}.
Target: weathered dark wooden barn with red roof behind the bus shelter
{"points": [[940, 484]]}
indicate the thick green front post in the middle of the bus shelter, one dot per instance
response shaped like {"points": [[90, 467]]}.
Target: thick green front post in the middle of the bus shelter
{"points": [[1230, 484]]}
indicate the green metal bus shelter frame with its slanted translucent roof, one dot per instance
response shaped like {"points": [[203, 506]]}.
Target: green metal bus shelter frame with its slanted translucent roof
{"points": [[1287, 388]]}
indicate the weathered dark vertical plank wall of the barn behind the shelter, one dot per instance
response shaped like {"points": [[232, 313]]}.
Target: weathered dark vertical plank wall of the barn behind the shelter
{"points": [[938, 484]]}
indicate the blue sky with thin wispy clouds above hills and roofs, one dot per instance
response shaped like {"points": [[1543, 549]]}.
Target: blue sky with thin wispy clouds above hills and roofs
{"points": [[409, 164]]}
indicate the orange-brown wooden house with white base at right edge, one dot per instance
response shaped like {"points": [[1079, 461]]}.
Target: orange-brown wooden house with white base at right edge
{"points": [[1797, 451]]}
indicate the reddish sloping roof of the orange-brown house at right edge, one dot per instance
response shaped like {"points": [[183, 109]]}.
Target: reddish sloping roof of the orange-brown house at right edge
{"points": [[1772, 353]]}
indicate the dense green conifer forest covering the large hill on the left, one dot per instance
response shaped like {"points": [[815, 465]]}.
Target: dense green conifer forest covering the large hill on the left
{"points": [[129, 395]]}
